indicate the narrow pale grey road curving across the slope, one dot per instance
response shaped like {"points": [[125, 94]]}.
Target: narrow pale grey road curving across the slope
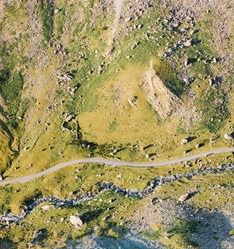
{"points": [[112, 162]]}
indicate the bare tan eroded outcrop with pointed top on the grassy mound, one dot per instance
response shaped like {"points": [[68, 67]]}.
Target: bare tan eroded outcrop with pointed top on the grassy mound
{"points": [[162, 100]]}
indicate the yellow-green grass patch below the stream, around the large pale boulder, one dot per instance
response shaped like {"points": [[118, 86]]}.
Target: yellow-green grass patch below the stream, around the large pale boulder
{"points": [[100, 216]]}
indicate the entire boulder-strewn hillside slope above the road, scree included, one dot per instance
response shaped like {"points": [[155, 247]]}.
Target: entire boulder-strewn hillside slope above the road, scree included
{"points": [[77, 73]]}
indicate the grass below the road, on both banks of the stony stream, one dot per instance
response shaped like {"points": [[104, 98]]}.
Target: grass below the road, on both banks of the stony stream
{"points": [[108, 204]]}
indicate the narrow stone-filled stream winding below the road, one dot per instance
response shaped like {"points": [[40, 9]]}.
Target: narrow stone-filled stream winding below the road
{"points": [[10, 218]]}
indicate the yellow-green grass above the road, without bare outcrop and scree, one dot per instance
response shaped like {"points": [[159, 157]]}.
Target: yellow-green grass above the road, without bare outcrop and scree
{"points": [[104, 86]]}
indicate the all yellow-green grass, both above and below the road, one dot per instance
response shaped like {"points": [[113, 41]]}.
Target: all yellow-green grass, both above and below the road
{"points": [[69, 88]]}
